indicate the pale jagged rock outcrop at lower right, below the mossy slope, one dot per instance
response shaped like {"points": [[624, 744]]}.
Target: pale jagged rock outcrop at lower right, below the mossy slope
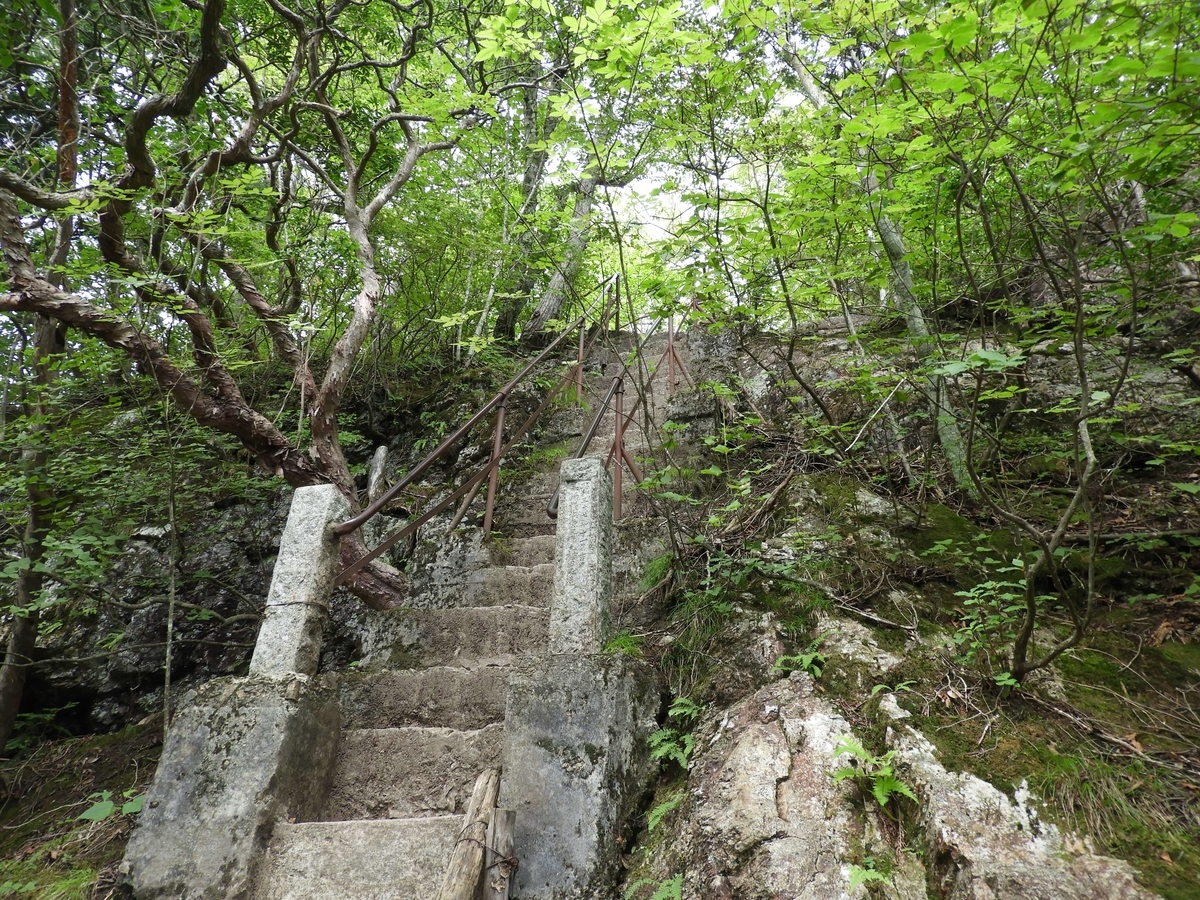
{"points": [[985, 847]]}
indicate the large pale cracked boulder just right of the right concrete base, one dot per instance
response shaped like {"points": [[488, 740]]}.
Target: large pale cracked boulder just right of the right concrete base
{"points": [[763, 817]]}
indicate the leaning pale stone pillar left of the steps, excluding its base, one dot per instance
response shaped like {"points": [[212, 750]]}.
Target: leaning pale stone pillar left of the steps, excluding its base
{"points": [[298, 602]]}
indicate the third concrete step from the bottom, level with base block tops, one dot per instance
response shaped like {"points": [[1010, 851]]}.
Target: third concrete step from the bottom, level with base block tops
{"points": [[445, 697]]}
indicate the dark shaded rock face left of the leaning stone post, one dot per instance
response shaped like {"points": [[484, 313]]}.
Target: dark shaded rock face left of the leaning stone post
{"points": [[110, 663]]}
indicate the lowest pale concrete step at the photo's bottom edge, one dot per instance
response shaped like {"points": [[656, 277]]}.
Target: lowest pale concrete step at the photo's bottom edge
{"points": [[381, 860]]}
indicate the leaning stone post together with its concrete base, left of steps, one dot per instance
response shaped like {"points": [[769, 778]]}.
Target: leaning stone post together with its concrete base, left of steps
{"points": [[245, 753]]}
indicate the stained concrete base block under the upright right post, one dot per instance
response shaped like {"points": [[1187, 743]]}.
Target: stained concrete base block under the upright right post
{"points": [[575, 765]]}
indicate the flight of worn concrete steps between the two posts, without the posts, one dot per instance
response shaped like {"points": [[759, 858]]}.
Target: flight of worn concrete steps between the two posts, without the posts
{"points": [[416, 739]]}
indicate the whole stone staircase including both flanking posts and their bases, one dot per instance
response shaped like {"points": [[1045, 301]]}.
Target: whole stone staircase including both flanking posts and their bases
{"points": [[292, 785]]}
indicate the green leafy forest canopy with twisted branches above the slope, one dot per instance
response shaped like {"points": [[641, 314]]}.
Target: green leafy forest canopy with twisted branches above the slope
{"points": [[254, 208]]}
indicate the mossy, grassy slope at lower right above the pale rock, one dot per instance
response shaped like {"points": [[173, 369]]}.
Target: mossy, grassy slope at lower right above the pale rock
{"points": [[1130, 797]]}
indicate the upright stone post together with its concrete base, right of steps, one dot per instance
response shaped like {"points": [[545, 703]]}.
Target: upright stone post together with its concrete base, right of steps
{"points": [[577, 723]]}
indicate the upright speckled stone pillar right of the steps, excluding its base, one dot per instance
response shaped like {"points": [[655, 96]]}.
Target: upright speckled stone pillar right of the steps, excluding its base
{"points": [[580, 615]]}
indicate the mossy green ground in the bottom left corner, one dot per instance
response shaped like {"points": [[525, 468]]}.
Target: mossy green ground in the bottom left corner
{"points": [[47, 850]]}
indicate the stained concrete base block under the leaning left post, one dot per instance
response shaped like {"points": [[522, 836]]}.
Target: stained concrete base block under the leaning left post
{"points": [[242, 754]]}
